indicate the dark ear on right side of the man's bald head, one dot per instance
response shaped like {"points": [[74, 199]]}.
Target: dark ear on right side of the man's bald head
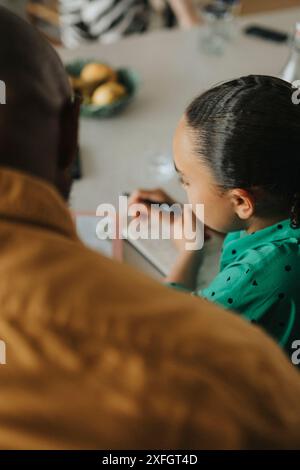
{"points": [[69, 126]]}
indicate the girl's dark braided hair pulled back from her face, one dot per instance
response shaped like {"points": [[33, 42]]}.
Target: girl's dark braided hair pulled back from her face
{"points": [[248, 131]]}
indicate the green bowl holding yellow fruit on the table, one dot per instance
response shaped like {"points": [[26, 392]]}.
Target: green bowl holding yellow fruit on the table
{"points": [[126, 77]]}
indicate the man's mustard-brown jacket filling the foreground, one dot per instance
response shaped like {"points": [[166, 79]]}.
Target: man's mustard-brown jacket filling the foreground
{"points": [[100, 356]]}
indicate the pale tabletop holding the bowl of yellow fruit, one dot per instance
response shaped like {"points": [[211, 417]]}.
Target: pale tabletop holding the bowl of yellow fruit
{"points": [[173, 70]]}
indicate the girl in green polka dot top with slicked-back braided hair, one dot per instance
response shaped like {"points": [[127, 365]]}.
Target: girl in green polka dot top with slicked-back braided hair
{"points": [[237, 150]]}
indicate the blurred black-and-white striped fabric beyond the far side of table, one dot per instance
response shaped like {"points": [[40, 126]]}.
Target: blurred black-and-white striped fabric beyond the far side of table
{"points": [[104, 20]]}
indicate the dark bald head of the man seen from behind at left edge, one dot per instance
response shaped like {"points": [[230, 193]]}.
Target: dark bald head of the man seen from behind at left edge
{"points": [[39, 122]]}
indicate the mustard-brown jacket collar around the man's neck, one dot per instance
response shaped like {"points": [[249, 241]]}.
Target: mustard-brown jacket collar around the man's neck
{"points": [[30, 200]]}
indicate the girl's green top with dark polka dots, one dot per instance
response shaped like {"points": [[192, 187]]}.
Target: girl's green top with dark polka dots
{"points": [[259, 278]]}
